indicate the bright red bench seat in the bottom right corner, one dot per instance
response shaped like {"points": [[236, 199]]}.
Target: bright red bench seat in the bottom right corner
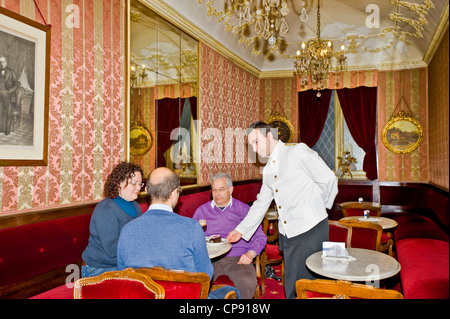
{"points": [[425, 268]]}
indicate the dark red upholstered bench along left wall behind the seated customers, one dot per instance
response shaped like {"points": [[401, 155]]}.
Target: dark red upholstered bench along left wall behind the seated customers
{"points": [[42, 244]]}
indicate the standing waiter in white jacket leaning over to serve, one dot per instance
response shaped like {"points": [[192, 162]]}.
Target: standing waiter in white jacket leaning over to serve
{"points": [[303, 187]]}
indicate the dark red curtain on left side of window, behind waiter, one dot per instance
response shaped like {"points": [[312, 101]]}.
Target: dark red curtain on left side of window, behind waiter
{"points": [[312, 114]]}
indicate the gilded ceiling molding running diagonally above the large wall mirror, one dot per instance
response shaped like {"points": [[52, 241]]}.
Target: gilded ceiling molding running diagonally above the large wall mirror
{"points": [[168, 13]]}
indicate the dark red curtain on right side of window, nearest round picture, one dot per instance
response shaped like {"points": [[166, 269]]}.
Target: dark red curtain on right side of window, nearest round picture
{"points": [[359, 106]]}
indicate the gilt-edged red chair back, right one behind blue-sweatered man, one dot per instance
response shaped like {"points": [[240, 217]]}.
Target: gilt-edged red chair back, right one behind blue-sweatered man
{"points": [[179, 284]]}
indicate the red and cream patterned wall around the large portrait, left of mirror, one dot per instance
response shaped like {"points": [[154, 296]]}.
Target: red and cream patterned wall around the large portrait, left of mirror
{"points": [[87, 108]]}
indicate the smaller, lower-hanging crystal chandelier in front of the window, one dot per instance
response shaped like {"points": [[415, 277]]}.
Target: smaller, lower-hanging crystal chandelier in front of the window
{"points": [[314, 60]]}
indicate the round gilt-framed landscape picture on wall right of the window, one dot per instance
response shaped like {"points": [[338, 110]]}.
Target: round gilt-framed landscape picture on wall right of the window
{"points": [[402, 134]]}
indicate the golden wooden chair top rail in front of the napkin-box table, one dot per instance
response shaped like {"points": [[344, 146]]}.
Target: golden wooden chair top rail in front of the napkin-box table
{"points": [[341, 289]]}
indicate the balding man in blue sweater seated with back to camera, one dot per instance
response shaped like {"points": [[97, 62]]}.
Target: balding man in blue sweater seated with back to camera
{"points": [[163, 238]]}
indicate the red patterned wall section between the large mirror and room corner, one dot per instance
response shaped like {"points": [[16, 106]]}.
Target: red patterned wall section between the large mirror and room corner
{"points": [[228, 100]]}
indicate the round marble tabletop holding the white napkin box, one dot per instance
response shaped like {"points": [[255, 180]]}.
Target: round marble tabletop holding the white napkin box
{"points": [[369, 265]]}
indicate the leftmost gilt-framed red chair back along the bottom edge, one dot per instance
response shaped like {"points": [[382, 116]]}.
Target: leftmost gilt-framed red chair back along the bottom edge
{"points": [[123, 284]]}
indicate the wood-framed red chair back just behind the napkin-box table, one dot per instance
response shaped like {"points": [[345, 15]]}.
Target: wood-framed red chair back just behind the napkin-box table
{"points": [[364, 234]]}
